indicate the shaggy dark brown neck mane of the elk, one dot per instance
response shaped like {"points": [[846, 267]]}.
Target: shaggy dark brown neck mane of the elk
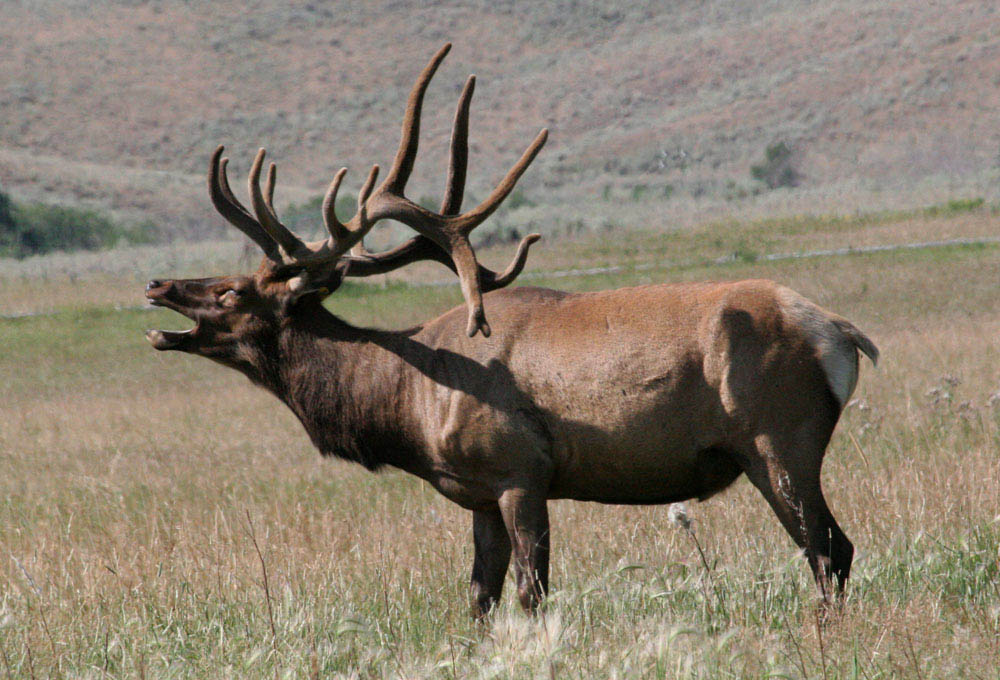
{"points": [[347, 387]]}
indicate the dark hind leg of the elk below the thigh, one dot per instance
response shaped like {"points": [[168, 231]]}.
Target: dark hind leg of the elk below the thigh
{"points": [[788, 476]]}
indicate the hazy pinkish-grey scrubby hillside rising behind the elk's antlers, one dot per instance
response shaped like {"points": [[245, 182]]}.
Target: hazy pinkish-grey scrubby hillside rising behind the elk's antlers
{"points": [[118, 104]]}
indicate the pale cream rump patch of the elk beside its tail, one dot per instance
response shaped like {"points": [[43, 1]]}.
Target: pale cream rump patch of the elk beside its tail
{"points": [[837, 354]]}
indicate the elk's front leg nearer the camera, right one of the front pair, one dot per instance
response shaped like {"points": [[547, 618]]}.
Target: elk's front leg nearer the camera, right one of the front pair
{"points": [[526, 516]]}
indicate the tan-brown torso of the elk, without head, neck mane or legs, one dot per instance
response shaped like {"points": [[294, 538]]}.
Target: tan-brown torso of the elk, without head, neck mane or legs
{"points": [[642, 395]]}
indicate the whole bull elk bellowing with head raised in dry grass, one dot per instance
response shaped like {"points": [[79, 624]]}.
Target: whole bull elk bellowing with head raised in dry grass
{"points": [[644, 395]]}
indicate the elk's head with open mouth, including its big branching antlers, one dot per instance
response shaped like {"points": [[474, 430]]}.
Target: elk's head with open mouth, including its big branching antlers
{"points": [[295, 274]]}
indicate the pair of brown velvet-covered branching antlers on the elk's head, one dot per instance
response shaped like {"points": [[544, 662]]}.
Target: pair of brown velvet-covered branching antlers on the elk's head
{"points": [[444, 236]]}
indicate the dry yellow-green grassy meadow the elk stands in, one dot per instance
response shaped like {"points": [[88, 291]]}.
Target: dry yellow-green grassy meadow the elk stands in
{"points": [[137, 487]]}
